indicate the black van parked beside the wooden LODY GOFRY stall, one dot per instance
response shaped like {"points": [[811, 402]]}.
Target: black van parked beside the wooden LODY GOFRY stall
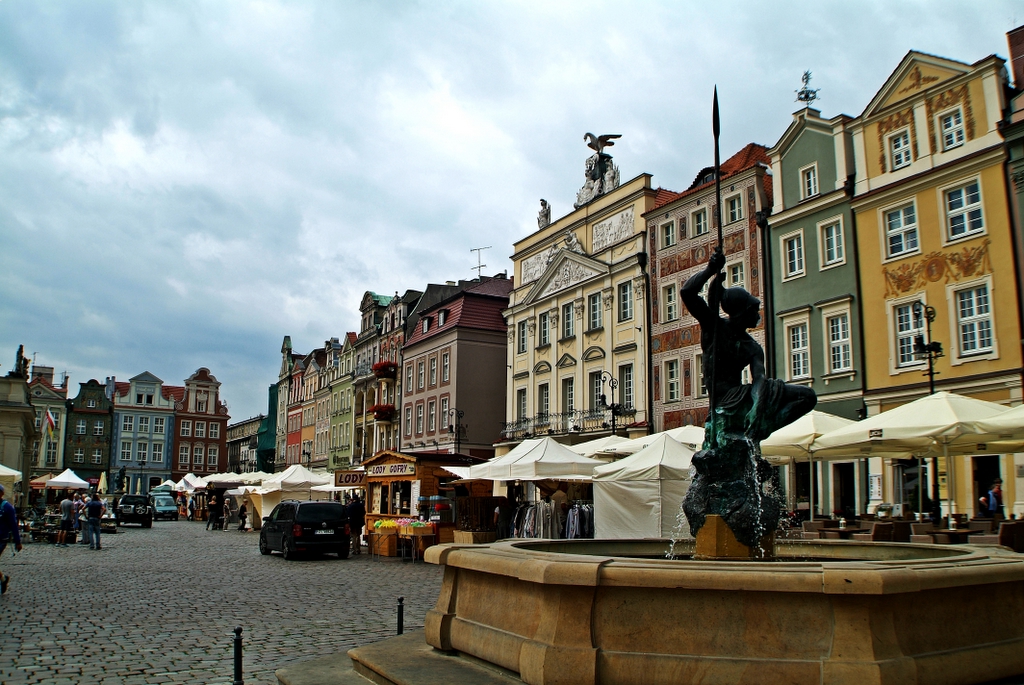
{"points": [[307, 527]]}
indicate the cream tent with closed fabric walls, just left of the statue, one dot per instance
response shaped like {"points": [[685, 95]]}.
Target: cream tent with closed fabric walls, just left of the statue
{"points": [[641, 496]]}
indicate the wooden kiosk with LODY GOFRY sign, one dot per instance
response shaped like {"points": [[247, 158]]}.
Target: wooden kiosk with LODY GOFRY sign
{"points": [[413, 487]]}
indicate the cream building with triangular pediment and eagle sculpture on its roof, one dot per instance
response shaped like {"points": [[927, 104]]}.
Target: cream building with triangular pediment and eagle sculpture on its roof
{"points": [[578, 321]]}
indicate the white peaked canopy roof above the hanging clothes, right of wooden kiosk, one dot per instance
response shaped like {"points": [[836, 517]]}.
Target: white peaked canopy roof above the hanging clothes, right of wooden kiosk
{"points": [[542, 459]]}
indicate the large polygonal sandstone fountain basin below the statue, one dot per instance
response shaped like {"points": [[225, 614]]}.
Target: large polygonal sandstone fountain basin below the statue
{"points": [[824, 613]]}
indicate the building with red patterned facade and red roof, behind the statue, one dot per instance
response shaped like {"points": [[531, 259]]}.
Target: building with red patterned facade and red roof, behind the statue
{"points": [[682, 231]]}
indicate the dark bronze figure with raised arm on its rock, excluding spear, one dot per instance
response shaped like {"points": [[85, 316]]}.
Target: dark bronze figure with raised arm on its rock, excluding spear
{"points": [[731, 473]]}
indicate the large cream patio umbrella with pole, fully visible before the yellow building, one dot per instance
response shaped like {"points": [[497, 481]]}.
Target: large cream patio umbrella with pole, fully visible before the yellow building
{"points": [[916, 429]]}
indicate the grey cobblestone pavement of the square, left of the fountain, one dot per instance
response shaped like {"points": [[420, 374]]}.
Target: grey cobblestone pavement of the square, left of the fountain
{"points": [[159, 606]]}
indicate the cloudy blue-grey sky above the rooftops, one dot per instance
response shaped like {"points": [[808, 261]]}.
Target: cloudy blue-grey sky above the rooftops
{"points": [[184, 184]]}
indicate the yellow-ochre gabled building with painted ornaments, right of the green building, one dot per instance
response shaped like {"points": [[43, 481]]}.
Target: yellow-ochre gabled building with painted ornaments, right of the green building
{"points": [[934, 240]]}
